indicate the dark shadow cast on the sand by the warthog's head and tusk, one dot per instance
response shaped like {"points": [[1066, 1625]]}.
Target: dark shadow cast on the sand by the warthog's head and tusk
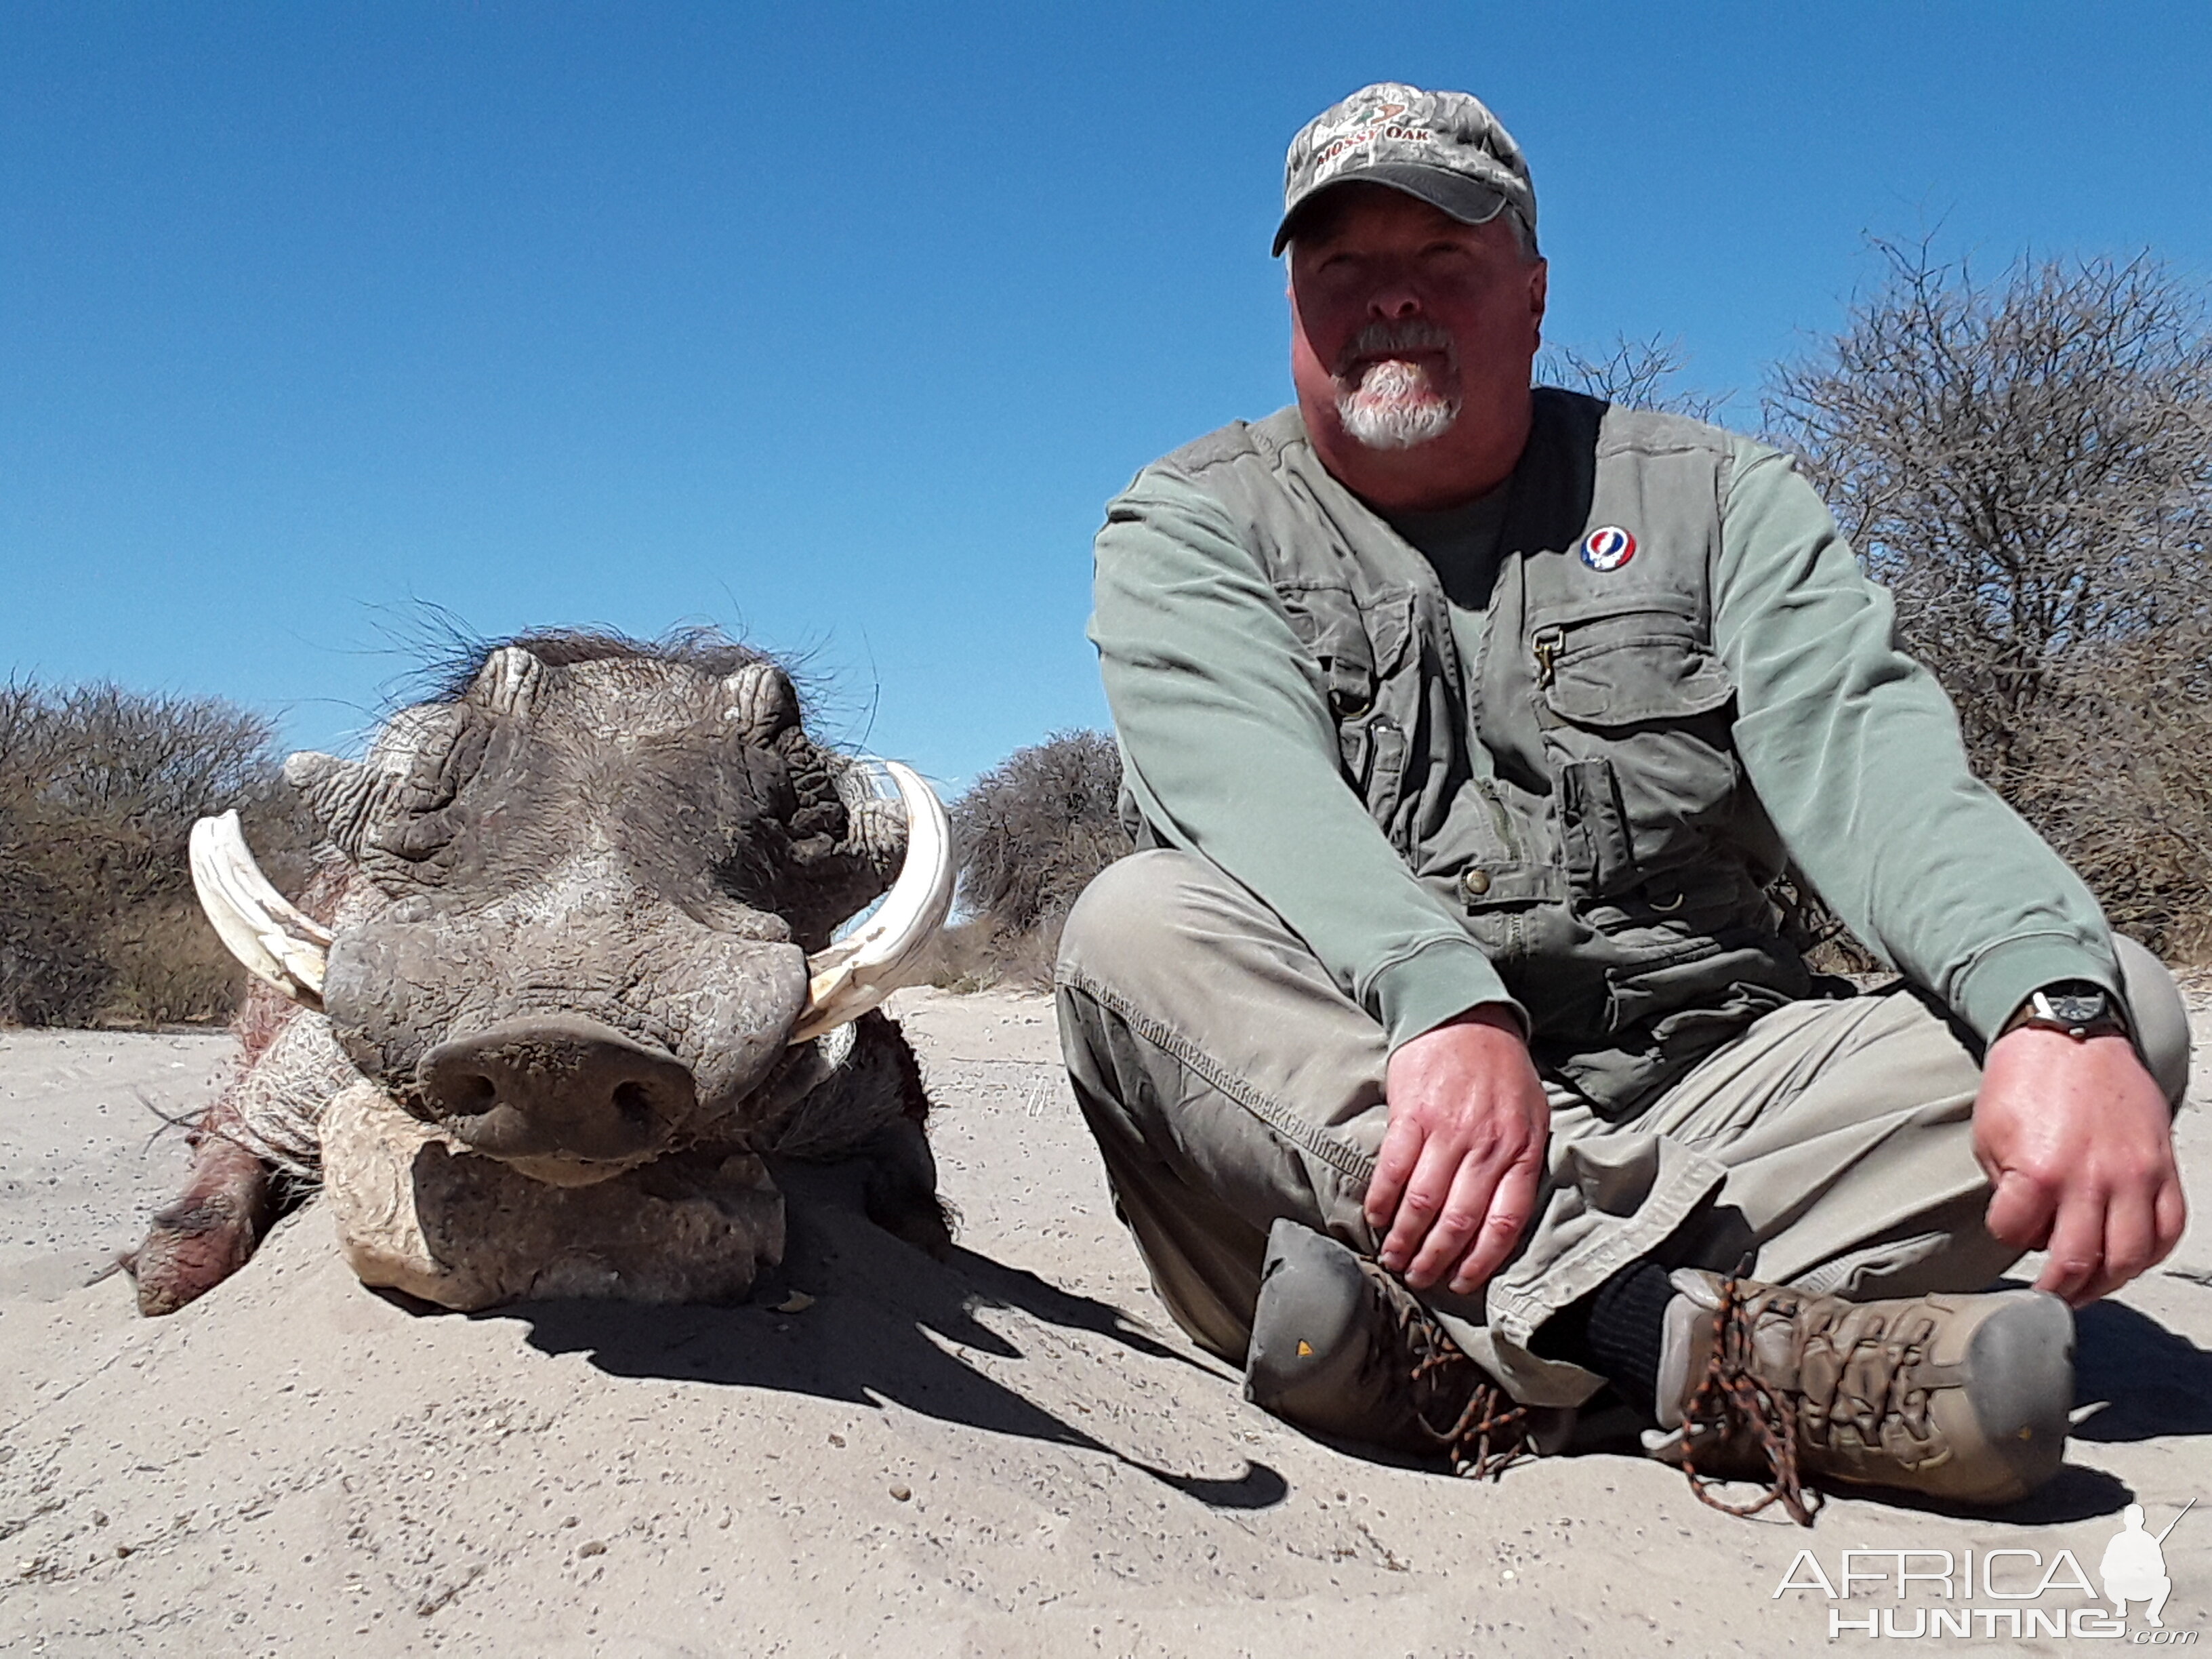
{"points": [[884, 1324]]}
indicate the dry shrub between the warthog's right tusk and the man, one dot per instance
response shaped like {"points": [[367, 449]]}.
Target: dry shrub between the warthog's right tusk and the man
{"points": [[1034, 831]]}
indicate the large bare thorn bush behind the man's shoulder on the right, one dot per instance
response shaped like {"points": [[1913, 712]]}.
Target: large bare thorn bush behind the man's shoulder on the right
{"points": [[2027, 463]]}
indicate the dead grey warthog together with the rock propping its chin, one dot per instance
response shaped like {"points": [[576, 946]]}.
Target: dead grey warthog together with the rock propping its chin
{"points": [[574, 979]]}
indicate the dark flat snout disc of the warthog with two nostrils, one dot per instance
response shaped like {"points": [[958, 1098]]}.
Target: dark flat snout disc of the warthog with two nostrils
{"points": [[556, 1087]]}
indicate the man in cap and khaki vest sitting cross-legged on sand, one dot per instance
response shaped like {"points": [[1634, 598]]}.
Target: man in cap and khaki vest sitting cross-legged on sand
{"points": [[1446, 1045]]}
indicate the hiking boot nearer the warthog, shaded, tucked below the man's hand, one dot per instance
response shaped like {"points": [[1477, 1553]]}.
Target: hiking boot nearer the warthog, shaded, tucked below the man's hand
{"points": [[1342, 1348]]}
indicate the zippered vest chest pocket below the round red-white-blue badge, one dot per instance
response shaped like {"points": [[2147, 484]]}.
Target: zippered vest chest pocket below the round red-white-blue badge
{"points": [[1636, 713]]}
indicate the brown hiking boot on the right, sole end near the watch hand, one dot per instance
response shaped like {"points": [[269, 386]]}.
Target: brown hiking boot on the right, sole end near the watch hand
{"points": [[1948, 1397]]}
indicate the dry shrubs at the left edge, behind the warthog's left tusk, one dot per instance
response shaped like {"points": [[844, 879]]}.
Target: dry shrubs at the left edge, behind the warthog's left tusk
{"points": [[98, 795]]}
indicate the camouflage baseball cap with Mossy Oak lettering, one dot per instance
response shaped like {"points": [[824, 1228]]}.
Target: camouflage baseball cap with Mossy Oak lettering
{"points": [[1441, 147]]}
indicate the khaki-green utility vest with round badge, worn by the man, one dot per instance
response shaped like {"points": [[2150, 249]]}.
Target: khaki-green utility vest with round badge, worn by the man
{"points": [[1585, 808]]}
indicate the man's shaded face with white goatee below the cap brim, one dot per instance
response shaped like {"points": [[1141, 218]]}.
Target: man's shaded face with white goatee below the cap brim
{"points": [[1406, 322]]}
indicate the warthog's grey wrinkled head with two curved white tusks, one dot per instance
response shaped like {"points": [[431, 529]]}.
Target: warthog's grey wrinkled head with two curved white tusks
{"points": [[594, 901]]}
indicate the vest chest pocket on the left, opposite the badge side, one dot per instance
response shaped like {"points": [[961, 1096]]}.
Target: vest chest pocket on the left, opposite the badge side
{"points": [[1361, 654]]}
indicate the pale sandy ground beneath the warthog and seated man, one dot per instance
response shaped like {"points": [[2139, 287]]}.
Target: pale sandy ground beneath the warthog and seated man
{"points": [[999, 1457]]}
